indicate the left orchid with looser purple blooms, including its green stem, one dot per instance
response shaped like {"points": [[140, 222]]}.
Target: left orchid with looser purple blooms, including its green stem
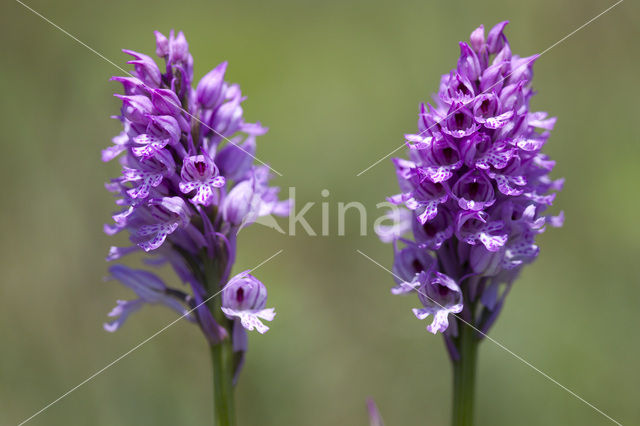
{"points": [[188, 182]]}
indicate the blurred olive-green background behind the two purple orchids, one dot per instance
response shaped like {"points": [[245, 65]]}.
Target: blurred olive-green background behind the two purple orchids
{"points": [[338, 83]]}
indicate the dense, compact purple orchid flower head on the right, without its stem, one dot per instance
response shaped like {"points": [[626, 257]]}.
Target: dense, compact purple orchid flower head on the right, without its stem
{"points": [[476, 187]]}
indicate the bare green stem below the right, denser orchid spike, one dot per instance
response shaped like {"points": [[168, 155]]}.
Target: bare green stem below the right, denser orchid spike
{"points": [[464, 377]]}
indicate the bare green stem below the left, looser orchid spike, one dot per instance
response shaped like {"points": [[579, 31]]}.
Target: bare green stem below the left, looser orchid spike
{"points": [[222, 361]]}
